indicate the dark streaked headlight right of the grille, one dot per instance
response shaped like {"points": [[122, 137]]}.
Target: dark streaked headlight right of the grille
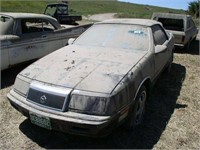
{"points": [[88, 104]]}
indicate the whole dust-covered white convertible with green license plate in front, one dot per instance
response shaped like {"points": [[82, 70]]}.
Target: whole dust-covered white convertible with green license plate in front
{"points": [[99, 81]]}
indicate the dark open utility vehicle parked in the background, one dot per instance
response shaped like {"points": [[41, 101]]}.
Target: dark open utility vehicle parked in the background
{"points": [[60, 12]]}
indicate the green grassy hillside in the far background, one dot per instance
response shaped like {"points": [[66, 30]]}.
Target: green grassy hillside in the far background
{"points": [[88, 8]]}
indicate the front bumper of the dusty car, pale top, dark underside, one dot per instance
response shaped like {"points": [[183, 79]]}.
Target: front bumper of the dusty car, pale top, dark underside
{"points": [[67, 122]]}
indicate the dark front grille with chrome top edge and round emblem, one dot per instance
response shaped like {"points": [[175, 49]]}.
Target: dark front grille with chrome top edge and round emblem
{"points": [[48, 96]]}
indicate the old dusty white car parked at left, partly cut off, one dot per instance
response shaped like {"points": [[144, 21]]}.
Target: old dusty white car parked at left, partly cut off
{"points": [[26, 36]]}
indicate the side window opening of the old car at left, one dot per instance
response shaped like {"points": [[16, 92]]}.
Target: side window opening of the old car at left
{"points": [[34, 25]]}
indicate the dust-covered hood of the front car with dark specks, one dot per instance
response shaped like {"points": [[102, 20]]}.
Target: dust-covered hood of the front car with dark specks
{"points": [[84, 68]]}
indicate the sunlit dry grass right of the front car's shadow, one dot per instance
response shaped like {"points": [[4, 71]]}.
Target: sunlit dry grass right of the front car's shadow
{"points": [[182, 130]]}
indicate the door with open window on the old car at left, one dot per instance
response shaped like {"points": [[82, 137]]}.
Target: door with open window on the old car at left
{"points": [[33, 41]]}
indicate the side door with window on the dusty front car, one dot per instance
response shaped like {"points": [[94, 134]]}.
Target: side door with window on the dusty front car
{"points": [[162, 57]]}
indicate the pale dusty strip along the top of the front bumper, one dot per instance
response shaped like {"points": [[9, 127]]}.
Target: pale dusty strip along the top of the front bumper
{"points": [[65, 116]]}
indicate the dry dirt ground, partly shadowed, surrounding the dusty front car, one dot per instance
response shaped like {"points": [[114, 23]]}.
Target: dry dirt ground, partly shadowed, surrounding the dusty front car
{"points": [[171, 120]]}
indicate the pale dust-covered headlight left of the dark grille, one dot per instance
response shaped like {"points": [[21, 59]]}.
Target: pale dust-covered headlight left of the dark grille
{"points": [[21, 85]]}
